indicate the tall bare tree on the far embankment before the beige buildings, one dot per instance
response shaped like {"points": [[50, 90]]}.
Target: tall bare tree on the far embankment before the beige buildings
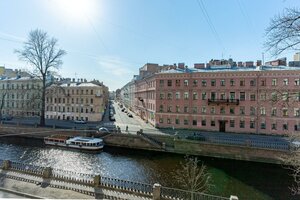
{"points": [[41, 52]]}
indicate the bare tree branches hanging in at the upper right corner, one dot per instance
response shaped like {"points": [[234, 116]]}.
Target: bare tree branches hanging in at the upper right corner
{"points": [[283, 32]]}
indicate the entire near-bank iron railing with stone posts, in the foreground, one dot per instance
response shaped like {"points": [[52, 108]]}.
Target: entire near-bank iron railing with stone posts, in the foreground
{"points": [[95, 185]]}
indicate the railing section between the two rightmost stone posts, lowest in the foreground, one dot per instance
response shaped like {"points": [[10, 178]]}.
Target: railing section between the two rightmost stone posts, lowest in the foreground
{"points": [[178, 194]]}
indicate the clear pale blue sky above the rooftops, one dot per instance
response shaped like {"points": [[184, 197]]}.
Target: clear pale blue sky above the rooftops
{"points": [[110, 40]]}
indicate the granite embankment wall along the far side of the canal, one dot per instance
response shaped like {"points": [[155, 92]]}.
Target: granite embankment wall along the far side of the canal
{"points": [[162, 143]]}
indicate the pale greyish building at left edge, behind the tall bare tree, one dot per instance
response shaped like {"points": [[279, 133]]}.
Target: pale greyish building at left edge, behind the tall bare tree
{"points": [[20, 96]]}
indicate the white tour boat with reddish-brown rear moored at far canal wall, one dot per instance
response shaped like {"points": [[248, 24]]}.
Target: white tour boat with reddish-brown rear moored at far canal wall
{"points": [[78, 142]]}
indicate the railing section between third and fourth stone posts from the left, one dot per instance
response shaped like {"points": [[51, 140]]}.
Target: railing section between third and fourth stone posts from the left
{"points": [[136, 187]]}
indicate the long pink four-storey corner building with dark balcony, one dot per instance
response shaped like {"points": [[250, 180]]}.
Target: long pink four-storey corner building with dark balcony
{"points": [[263, 100]]}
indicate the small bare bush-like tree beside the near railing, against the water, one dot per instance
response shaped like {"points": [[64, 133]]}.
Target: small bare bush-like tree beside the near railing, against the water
{"points": [[193, 176]]}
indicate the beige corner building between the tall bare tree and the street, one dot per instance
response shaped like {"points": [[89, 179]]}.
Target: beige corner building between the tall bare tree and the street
{"points": [[76, 100]]}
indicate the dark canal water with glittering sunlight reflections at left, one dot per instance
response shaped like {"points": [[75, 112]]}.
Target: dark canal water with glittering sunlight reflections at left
{"points": [[247, 180]]}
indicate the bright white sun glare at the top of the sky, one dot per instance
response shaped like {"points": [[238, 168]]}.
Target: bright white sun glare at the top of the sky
{"points": [[76, 11]]}
